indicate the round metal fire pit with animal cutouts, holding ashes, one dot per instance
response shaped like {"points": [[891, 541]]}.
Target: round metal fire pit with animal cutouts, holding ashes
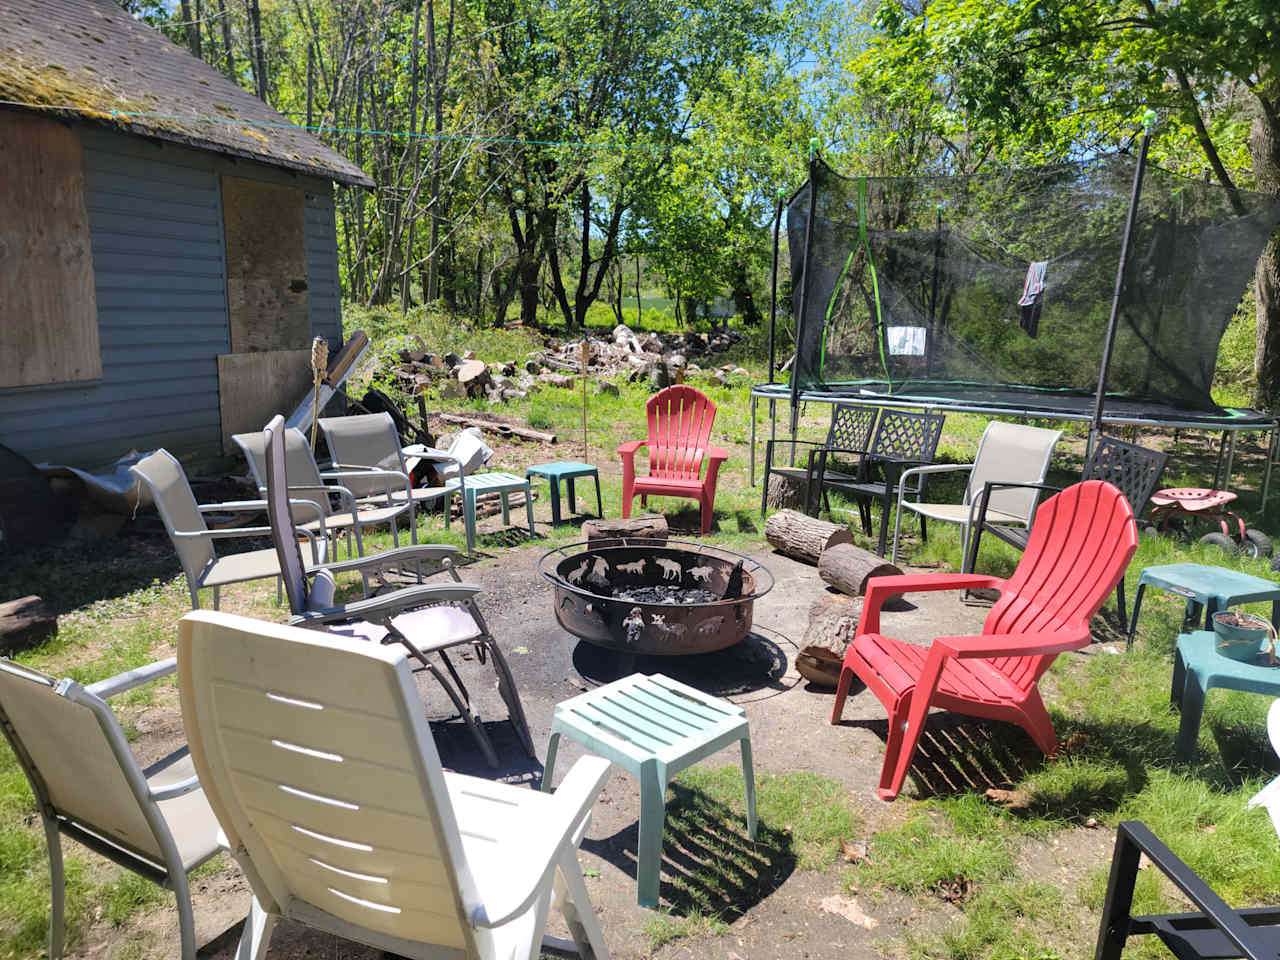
{"points": [[655, 597]]}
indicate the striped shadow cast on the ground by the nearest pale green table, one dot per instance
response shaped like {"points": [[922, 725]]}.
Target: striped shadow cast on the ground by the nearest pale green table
{"points": [[711, 867]]}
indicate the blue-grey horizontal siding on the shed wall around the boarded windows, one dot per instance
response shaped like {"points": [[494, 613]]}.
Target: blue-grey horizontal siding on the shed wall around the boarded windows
{"points": [[161, 278]]}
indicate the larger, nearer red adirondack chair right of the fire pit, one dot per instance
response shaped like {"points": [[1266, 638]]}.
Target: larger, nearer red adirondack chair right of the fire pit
{"points": [[1080, 547]]}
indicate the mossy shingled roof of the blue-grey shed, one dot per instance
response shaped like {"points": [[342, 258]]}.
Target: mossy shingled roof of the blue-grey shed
{"points": [[89, 58]]}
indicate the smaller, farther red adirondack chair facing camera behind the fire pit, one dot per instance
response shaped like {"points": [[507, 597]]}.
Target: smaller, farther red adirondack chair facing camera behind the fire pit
{"points": [[680, 428]]}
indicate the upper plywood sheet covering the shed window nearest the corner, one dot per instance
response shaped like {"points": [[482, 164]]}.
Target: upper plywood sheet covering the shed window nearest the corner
{"points": [[267, 267]]}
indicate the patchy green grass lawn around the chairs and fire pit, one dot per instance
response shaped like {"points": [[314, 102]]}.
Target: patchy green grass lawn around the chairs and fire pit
{"points": [[120, 600]]}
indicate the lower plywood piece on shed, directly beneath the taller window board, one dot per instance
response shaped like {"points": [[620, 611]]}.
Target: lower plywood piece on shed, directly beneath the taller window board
{"points": [[255, 387]]}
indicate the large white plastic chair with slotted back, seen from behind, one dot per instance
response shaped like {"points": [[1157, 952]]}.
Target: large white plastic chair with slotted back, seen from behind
{"points": [[321, 767]]}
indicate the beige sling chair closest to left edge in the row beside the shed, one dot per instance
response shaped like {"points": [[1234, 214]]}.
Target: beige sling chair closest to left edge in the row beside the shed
{"points": [[185, 522]]}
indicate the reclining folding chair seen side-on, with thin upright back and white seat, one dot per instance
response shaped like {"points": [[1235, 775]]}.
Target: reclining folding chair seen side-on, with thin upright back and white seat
{"points": [[426, 619]]}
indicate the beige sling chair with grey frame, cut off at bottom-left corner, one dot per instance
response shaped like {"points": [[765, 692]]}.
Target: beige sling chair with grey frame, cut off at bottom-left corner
{"points": [[89, 787]]}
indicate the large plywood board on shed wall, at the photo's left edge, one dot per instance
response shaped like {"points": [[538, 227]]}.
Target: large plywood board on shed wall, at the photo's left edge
{"points": [[48, 304]]}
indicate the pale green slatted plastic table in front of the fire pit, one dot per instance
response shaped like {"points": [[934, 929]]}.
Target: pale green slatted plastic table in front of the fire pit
{"points": [[653, 728]]}
